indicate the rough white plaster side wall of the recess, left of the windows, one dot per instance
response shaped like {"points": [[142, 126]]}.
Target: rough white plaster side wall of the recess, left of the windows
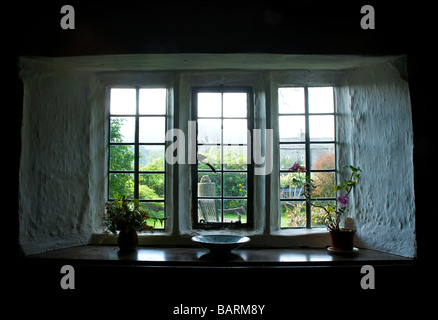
{"points": [[57, 202]]}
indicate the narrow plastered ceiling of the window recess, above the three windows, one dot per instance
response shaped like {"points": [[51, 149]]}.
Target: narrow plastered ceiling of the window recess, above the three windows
{"points": [[236, 61]]}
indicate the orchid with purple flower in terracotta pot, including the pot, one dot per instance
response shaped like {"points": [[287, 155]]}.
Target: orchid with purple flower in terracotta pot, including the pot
{"points": [[342, 238]]}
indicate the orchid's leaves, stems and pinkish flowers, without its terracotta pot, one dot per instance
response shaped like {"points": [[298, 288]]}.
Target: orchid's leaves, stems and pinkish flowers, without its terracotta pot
{"points": [[333, 211]]}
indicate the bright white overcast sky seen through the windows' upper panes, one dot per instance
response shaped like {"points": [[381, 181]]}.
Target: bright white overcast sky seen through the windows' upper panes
{"points": [[291, 101]]}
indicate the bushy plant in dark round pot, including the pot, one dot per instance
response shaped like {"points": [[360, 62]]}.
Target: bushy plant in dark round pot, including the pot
{"points": [[127, 217]]}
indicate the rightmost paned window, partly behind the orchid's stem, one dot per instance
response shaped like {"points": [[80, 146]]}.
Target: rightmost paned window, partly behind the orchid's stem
{"points": [[306, 136]]}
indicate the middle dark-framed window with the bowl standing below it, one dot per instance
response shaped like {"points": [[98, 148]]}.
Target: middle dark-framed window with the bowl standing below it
{"points": [[222, 178]]}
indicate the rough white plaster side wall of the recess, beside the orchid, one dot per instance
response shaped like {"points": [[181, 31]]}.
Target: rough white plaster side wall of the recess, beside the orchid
{"points": [[375, 132]]}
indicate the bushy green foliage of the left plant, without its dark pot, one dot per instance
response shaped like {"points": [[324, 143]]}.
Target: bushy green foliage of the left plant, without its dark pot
{"points": [[127, 214]]}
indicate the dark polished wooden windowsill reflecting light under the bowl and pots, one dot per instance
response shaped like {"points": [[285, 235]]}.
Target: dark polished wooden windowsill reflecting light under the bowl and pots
{"points": [[198, 257]]}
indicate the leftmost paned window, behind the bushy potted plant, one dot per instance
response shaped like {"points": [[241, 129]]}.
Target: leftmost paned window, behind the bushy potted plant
{"points": [[137, 147]]}
